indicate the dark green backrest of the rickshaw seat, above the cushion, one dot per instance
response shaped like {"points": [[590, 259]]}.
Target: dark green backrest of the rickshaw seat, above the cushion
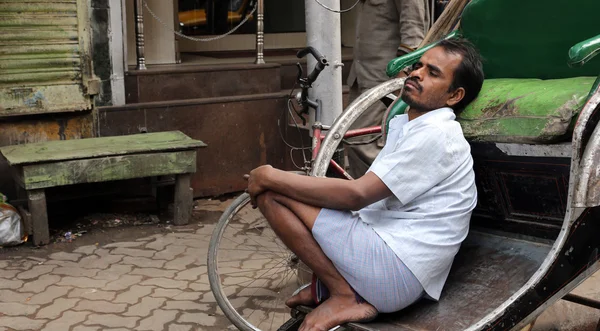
{"points": [[531, 39]]}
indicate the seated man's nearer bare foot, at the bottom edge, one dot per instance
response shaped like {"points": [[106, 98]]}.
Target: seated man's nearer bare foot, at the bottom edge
{"points": [[337, 310]]}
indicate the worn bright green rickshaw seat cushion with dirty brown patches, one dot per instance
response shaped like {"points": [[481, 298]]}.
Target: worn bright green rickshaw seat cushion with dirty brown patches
{"points": [[525, 110]]}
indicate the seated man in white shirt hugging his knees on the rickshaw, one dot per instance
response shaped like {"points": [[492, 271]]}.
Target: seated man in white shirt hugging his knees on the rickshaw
{"points": [[383, 241]]}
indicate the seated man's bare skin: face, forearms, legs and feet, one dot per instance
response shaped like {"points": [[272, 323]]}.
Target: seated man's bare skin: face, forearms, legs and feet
{"points": [[291, 202]]}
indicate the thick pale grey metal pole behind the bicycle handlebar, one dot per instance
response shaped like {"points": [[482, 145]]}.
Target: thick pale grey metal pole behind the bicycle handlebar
{"points": [[323, 32]]}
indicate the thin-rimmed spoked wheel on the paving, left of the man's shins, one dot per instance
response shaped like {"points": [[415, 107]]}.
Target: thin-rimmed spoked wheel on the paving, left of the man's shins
{"points": [[253, 272]]}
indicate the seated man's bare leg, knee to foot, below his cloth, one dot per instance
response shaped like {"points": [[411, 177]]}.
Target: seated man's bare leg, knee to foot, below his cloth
{"points": [[293, 221]]}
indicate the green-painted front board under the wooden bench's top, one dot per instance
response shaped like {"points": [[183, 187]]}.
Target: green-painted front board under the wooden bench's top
{"points": [[44, 175]]}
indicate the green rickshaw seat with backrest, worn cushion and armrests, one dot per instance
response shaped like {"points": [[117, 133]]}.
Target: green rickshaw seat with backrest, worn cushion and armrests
{"points": [[533, 62]]}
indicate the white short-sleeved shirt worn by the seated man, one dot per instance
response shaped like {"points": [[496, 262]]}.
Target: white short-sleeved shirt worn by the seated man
{"points": [[427, 165]]}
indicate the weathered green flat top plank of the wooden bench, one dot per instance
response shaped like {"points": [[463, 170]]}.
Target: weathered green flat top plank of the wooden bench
{"points": [[98, 147]]}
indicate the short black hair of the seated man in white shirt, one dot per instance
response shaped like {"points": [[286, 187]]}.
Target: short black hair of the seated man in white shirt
{"points": [[468, 74]]}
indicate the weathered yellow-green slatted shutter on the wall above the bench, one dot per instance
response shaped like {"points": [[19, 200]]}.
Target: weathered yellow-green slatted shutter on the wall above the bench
{"points": [[45, 64]]}
